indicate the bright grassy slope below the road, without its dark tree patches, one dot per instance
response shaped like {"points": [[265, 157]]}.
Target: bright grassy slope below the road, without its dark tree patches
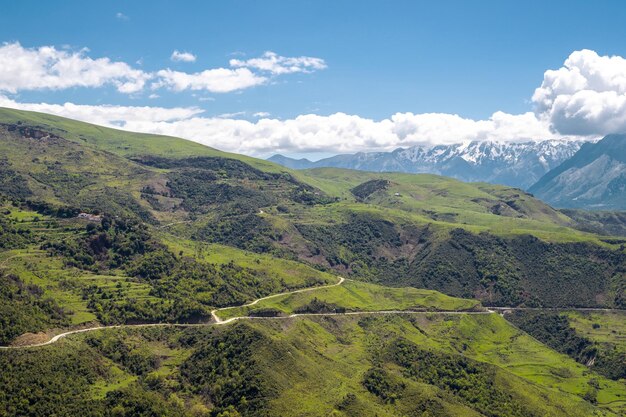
{"points": [[315, 367]]}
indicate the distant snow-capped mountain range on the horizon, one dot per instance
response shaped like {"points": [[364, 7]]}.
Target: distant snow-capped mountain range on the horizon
{"points": [[515, 164]]}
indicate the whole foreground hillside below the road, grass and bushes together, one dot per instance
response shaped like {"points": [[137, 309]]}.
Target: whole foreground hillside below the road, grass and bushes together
{"points": [[349, 366]]}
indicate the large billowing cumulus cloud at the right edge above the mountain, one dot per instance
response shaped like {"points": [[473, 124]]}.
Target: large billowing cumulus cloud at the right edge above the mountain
{"points": [[587, 96]]}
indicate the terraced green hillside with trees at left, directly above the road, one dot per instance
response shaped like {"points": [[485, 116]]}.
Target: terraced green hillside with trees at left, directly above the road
{"points": [[61, 271]]}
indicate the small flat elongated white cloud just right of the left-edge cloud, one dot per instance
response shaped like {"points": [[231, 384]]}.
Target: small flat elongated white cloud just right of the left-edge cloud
{"points": [[218, 80]]}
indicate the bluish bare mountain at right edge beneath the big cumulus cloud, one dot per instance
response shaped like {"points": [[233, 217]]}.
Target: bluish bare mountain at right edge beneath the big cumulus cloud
{"points": [[594, 178]]}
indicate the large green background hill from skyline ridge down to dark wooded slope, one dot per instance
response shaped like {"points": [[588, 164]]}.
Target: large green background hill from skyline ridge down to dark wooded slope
{"points": [[497, 244]]}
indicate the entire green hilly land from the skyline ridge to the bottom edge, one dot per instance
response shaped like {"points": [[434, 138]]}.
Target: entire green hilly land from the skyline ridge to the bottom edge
{"points": [[102, 227]]}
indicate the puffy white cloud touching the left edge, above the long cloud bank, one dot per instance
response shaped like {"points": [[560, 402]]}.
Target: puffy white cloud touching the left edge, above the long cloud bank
{"points": [[49, 68]]}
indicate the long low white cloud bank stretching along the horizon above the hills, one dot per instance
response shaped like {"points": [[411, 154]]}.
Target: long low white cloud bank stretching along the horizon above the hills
{"points": [[336, 133]]}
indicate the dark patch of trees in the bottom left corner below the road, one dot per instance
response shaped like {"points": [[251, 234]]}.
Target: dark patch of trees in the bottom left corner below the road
{"points": [[59, 381]]}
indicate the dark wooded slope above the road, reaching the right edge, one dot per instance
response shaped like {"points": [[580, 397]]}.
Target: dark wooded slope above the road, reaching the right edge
{"points": [[499, 271]]}
